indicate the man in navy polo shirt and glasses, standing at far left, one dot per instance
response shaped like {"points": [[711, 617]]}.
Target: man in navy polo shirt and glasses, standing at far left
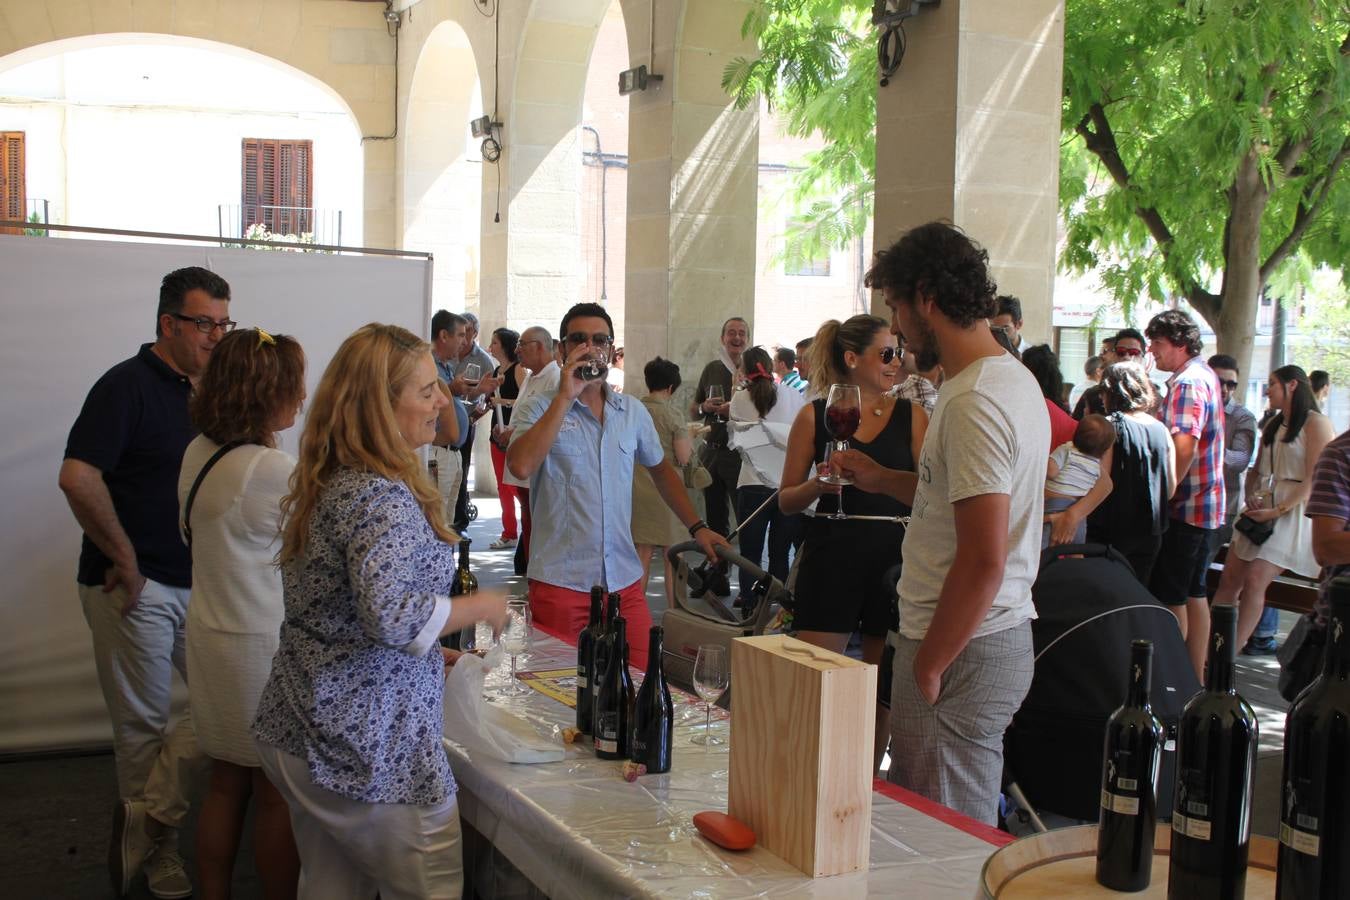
{"points": [[121, 477]]}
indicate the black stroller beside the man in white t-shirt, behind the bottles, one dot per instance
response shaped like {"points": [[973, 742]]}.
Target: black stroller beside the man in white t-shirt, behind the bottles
{"points": [[1090, 608]]}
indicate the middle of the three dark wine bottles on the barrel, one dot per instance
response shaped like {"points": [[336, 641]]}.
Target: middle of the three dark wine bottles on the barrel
{"points": [[1217, 755]]}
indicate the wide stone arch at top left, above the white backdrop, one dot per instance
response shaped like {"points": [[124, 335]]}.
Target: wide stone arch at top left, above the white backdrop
{"points": [[345, 47]]}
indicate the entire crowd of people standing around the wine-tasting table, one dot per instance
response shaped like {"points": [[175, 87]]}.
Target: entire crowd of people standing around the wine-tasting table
{"points": [[303, 598]]}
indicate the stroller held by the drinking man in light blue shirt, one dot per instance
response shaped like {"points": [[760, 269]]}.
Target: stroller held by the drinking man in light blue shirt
{"points": [[701, 613]]}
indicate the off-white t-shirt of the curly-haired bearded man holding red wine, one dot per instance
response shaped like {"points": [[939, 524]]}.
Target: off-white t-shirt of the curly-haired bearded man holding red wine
{"points": [[990, 434]]}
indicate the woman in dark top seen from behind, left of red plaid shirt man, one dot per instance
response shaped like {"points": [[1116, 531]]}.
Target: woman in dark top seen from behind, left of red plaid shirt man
{"points": [[1143, 469]]}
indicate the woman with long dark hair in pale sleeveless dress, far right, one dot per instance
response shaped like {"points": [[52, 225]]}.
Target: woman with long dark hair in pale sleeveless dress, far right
{"points": [[1278, 490]]}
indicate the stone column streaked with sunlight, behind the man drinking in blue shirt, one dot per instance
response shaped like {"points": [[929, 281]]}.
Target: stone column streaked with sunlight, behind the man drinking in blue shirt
{"points": [[692, 190]]}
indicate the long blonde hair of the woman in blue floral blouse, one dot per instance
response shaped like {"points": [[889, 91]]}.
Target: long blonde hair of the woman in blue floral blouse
{"points": [[352, 426]]}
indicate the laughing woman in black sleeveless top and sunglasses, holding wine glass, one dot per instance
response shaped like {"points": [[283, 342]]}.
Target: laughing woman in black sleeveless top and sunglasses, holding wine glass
{"points": [[842, 585]]}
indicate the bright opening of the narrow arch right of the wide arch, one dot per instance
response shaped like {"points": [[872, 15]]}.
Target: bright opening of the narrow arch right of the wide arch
{"points": [[441, 176]]}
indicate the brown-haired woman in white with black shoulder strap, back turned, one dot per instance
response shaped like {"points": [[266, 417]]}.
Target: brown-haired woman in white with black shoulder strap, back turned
{"points": [[253, 388]]}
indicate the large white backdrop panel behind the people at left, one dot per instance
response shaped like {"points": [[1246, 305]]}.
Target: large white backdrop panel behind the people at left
{"points": [[74, 310]]}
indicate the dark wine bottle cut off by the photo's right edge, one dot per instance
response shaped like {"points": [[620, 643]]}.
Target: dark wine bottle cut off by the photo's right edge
{"points": [[1316, 801]]}
